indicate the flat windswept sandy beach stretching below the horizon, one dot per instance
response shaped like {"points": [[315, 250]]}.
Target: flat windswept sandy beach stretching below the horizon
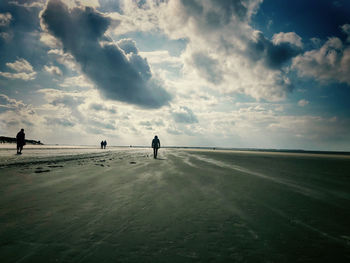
{"points": [[84, 204]]}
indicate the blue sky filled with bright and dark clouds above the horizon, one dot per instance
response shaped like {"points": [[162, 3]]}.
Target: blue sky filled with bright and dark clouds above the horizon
{"points": [[211, 73]]}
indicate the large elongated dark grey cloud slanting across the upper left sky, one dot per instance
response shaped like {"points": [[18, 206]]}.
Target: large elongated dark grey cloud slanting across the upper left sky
{"points": [[119, 77]]}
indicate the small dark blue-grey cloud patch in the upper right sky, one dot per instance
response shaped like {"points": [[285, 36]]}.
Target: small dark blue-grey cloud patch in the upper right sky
{"points": [[274, 56]]}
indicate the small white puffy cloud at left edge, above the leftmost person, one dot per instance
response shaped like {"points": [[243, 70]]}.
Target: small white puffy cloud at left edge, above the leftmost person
{"points": [[23, 69]]}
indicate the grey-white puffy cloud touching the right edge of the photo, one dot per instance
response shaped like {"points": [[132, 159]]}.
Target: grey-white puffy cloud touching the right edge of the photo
{"points": [[330, 62]]}
